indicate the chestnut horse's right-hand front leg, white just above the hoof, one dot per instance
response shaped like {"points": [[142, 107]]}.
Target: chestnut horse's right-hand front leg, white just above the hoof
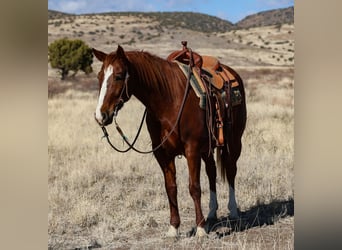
{"points": [[194, 164]]}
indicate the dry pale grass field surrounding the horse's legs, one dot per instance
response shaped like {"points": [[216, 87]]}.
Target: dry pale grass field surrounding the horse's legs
{"points": [[118, 200]]}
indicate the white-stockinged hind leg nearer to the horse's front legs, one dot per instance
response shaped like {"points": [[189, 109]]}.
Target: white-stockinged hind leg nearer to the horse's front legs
{"points": [[210, 168]]}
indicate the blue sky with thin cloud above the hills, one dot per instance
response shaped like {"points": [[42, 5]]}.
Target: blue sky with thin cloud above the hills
{"points": [[231, 10]]}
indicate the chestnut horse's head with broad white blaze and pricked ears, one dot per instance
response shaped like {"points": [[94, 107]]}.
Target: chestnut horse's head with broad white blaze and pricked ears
{"points": [[113, 78]]}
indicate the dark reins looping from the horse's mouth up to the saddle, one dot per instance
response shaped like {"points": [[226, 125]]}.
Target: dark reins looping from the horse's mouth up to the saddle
{"points": [[131, 145]]}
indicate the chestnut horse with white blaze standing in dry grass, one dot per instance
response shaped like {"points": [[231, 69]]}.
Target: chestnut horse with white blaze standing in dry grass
{"points": [[161, 87]]}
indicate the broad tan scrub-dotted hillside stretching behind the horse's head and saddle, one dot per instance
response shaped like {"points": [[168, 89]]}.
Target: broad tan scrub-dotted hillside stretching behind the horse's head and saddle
{"points": [[260, 46]]}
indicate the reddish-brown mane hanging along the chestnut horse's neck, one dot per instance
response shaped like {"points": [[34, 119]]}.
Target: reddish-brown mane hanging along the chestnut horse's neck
{"points": [[158, 74]]}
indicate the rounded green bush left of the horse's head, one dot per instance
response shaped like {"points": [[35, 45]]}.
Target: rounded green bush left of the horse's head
{"points": [[70, 55]]}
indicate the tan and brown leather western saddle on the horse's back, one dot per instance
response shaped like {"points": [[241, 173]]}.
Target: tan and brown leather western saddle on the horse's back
{"points": [[221, 85]]}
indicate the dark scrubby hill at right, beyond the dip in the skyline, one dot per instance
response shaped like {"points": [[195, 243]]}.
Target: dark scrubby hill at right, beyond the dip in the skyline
{"points": [[266, 18]]}
